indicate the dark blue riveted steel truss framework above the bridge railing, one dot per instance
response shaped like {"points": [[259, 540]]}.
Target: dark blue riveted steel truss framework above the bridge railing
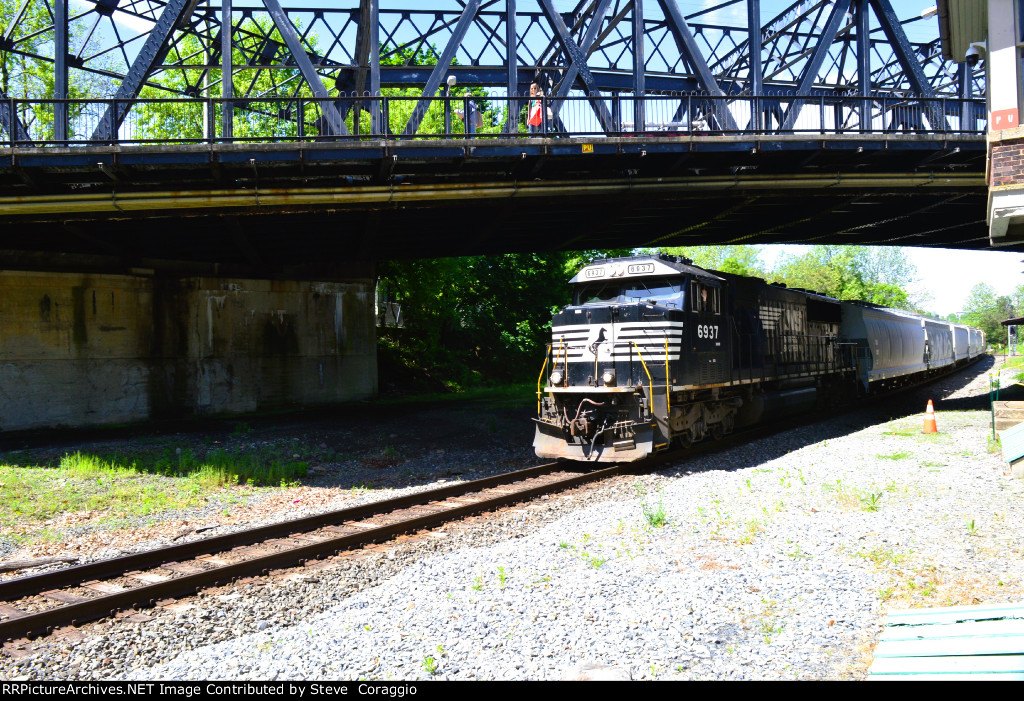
{"points": [[124, 50]]}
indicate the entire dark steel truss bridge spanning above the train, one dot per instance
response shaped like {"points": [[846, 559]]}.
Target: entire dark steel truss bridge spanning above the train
{"points": [[825, 122]]}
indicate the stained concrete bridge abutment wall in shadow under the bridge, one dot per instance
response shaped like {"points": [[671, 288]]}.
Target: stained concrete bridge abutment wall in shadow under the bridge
{"points": [[96, 349]]}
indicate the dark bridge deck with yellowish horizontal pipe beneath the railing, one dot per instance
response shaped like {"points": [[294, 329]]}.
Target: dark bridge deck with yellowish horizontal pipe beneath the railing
{"points": [[396, 198]]}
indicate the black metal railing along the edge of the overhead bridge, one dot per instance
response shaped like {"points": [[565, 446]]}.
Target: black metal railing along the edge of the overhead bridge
{"points": [[184, 121]]}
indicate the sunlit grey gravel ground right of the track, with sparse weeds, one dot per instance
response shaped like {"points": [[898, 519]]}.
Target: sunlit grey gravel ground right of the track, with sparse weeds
{"points": [[775, 560]]}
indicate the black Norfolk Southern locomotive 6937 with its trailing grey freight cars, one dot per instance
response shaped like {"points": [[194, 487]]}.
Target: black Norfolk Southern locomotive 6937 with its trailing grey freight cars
{"points": [[655, 352]]}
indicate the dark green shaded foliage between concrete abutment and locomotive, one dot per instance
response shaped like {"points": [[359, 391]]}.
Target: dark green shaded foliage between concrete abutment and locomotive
{"points": [[468, 321]]}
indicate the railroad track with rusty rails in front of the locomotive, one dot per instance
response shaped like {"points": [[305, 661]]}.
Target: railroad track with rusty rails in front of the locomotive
{"points": [[36, 605]]}
